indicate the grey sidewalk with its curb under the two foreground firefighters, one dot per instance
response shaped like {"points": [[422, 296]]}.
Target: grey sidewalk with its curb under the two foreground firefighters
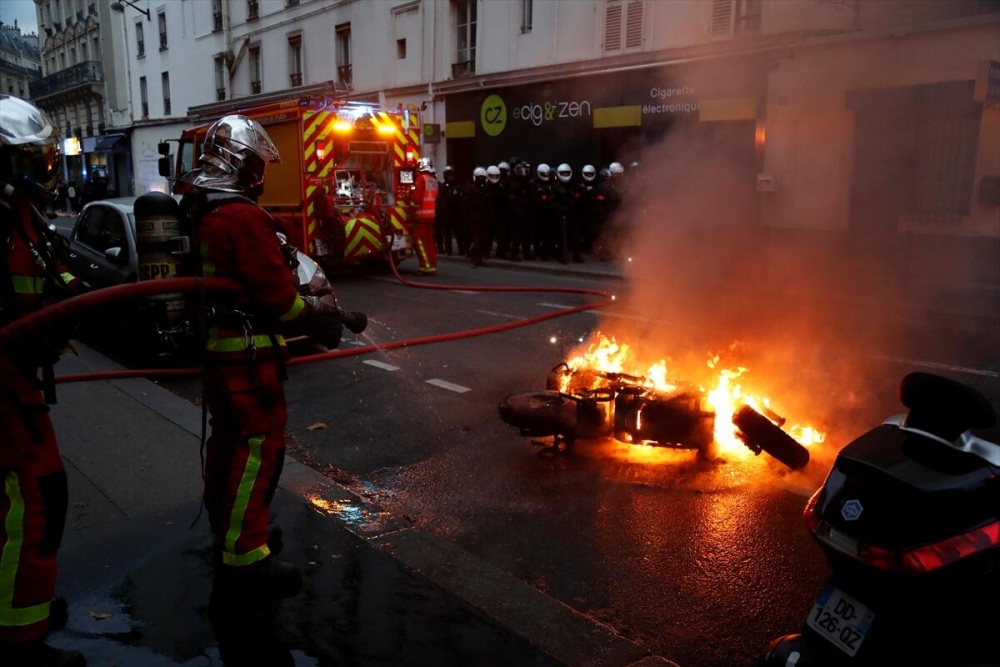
{"points": [[377, 589]]}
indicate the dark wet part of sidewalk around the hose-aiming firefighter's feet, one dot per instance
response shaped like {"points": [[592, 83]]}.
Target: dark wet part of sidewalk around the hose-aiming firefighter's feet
{"points": [[139, 595]]}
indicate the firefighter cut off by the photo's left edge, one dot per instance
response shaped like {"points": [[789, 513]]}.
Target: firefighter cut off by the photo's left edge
{"points": [[34, 493]]}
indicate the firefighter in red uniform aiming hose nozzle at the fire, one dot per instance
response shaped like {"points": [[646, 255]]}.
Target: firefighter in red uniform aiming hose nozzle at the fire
{"points": [[245, 353]]}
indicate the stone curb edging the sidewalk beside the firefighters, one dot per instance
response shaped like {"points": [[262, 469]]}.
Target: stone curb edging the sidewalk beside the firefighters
{"points": [[544, 622]]}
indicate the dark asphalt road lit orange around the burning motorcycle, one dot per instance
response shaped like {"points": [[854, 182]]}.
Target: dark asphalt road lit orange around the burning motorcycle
{"points": [[702, 562]]}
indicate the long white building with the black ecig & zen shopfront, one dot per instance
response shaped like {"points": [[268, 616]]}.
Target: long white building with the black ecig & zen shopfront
{"points": [[790, 90]]}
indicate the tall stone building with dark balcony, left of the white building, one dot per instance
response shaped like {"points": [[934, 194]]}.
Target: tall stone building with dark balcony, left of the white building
{"points": [[84, 89]]}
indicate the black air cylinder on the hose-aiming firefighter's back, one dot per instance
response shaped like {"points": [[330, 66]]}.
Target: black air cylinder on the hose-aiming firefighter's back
{"points": [[163, 245]]}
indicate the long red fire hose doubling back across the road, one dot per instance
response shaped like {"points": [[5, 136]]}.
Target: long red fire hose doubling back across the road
{"points": [[47, 317]]}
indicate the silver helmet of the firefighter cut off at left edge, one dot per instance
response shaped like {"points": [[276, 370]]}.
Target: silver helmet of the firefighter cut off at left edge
{"points": [[29, 148]]}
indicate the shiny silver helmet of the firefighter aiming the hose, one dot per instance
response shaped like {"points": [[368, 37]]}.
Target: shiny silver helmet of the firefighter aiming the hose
{"points": [[234, 155]]}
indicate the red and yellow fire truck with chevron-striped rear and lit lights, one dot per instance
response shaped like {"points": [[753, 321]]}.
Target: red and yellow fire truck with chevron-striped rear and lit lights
{"points": [[341, 191]]}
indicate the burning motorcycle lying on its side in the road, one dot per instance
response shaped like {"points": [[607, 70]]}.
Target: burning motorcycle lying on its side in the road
{"points": [[630, 408]]}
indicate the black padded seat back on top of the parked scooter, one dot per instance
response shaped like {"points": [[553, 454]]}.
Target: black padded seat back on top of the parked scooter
{"points": [[944, 407]]}
